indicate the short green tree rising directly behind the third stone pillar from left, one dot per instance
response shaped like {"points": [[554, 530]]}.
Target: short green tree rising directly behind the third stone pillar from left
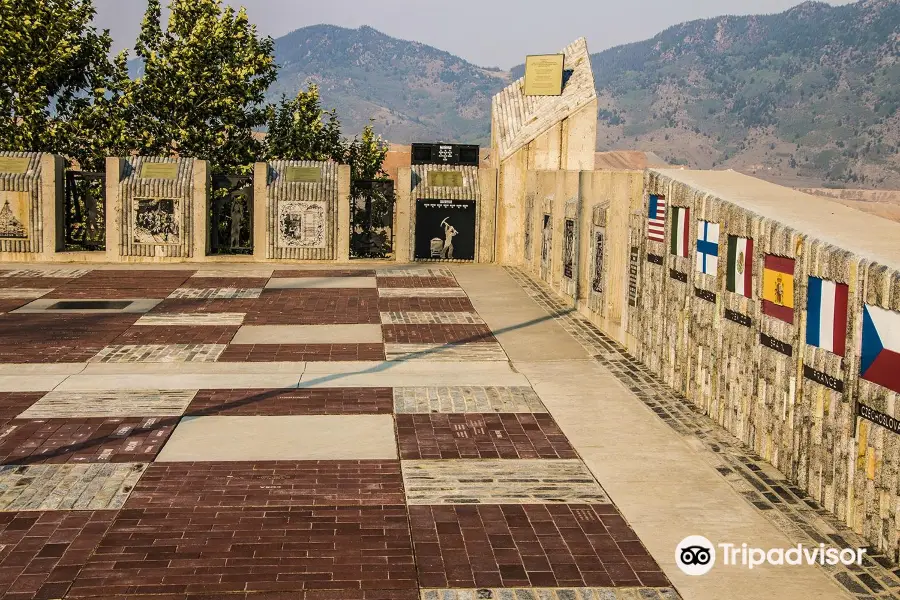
{"points": [[300, 129]]}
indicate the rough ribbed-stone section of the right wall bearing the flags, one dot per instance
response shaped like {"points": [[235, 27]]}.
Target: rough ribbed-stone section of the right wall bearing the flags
{"points": [[784, 332]]}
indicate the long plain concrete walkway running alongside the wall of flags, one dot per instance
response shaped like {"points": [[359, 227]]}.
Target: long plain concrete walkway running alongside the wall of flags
{"points": [[663, 487]]}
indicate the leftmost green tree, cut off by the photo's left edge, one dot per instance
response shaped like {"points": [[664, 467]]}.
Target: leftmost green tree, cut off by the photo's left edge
{"points": [[55, 73]]}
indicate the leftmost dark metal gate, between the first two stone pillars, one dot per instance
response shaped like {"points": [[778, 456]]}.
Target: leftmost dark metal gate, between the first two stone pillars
{"points": [[85, 211]]}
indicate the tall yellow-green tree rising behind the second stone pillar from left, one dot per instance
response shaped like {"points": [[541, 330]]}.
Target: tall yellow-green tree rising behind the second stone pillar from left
{"points": [[203, 86]]}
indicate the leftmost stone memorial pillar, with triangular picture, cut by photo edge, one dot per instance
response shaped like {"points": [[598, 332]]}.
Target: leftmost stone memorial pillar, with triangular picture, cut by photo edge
{"points": [[30, 189]]}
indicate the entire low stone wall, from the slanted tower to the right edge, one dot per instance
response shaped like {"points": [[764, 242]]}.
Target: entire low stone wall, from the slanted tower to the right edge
{"points": [[787, 341]]}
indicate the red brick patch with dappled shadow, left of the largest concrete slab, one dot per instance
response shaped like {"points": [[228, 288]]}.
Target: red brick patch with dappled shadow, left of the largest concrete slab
{"points": [[33, 441]]}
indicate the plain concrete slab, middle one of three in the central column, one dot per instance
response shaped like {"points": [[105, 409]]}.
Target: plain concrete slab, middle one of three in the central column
{"points": [[308, 334]]}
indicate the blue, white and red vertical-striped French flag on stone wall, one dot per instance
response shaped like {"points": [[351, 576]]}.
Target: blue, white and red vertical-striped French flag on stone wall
{"points": [[826, 312]]}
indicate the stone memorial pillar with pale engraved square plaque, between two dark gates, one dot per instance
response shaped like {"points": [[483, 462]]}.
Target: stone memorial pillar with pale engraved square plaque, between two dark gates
{"points": [[302, 210]]}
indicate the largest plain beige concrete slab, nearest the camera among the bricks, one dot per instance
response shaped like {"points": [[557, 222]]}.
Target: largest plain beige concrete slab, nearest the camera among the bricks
{"points": [[316, 437]]}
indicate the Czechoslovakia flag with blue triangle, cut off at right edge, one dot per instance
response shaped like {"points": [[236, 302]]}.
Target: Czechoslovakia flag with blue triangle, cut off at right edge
{"points": [[880, 359]]}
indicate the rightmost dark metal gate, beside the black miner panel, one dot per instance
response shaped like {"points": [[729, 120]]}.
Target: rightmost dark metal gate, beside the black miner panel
{"points": [[372, 218]]}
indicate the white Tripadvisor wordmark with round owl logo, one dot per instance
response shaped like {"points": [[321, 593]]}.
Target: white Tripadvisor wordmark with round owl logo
{"points": [[696, 555]]}
